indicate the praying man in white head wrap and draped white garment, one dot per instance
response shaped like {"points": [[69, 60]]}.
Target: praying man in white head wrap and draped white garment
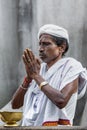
{"points": [[49, 91]]}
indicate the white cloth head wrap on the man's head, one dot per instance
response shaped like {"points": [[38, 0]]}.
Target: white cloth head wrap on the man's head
{"points": [[54, 30]]}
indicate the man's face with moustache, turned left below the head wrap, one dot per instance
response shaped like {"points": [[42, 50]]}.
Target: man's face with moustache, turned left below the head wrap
{"points": [[48, 50]]}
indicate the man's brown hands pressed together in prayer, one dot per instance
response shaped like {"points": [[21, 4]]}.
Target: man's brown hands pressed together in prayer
{"points": [[32, 64]]}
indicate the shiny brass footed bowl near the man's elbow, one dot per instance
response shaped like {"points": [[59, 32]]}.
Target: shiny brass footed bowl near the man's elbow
{"points": [[11, 118]]}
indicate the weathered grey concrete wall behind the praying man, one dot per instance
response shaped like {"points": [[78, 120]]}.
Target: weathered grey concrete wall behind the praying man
{"points": [[19, 24]]}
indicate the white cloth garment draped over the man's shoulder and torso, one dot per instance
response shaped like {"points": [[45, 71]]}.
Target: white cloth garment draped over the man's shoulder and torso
{"points": [[38, 108]]}
